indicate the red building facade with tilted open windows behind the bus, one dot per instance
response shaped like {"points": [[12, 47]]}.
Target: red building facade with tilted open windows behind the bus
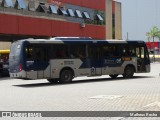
{"points": [[99, 19]]}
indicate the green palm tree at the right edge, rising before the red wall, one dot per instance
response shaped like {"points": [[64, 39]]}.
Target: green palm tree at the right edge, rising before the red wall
{"points": [[152, 34]]}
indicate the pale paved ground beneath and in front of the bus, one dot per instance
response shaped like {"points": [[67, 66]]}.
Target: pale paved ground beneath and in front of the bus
{"points": [[141, 93]]}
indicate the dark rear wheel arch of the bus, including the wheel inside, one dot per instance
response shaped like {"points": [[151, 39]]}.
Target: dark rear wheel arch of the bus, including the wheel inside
{"points": [[66, 75]]}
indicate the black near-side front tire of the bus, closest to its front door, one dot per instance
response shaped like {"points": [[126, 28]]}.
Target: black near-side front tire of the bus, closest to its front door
{"points": [[128, 72]]}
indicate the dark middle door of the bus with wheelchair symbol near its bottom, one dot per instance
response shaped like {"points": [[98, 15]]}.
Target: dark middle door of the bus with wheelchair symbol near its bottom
{"points": [[96, 59]]}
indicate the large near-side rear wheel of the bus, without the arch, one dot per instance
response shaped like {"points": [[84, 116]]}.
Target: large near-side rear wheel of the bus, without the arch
{"points": [[66, 76]]}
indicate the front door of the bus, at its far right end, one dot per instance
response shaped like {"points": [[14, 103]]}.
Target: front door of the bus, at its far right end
{"points": [[143, 62]]}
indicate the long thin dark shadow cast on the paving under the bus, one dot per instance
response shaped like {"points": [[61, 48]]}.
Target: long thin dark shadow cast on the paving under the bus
{"points": [[79, 82]]}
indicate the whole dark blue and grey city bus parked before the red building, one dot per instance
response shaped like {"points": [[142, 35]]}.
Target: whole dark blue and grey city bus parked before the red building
{"points": [[61, 59]]}
